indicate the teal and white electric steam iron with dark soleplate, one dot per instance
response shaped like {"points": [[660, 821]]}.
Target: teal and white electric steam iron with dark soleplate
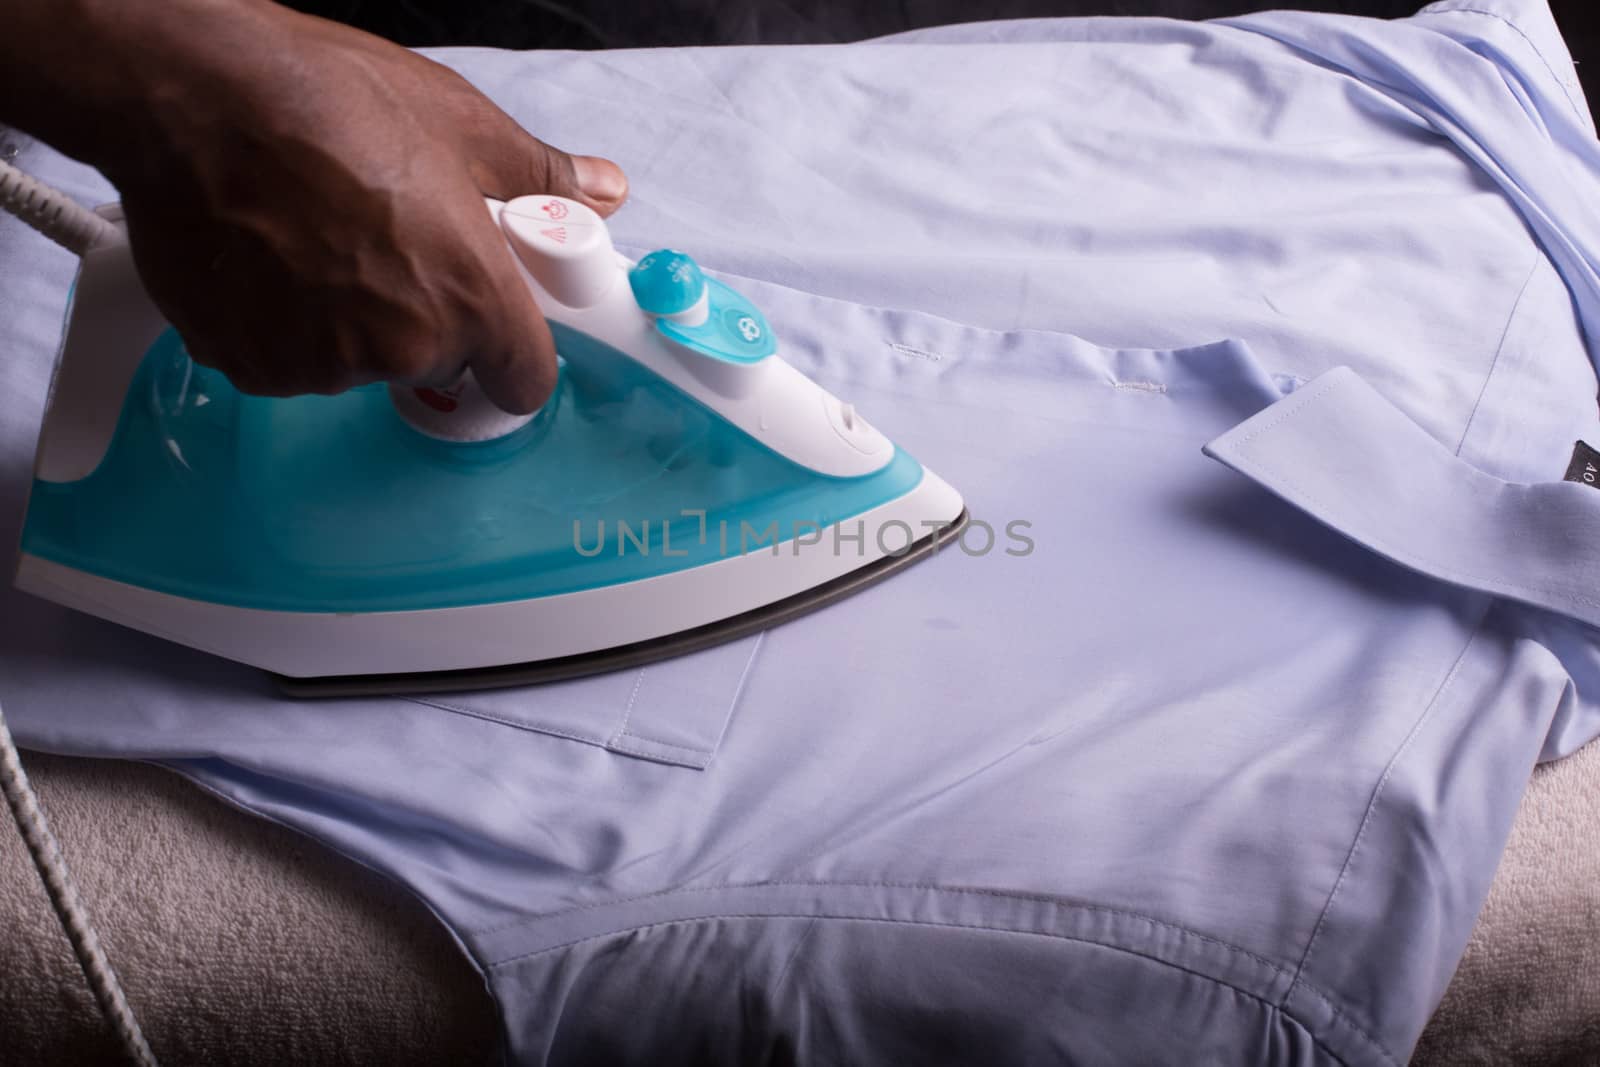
{"points": [[682, 487]]}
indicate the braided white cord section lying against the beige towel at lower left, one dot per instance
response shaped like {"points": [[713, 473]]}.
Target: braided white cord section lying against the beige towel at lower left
{"points": [[65, 898]]}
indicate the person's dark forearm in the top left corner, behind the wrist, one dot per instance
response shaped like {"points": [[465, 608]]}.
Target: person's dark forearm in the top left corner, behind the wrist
{"points": [[87, 76]]}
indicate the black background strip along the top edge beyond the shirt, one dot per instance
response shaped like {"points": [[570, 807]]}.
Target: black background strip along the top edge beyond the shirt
{"points": [[646, 23]]}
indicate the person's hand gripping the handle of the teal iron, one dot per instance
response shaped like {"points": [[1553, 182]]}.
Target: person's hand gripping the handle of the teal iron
{"points": [[305, 204]]}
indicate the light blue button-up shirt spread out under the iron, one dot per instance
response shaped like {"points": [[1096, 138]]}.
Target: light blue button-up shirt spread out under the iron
{"points": [[1273, 330]]}
